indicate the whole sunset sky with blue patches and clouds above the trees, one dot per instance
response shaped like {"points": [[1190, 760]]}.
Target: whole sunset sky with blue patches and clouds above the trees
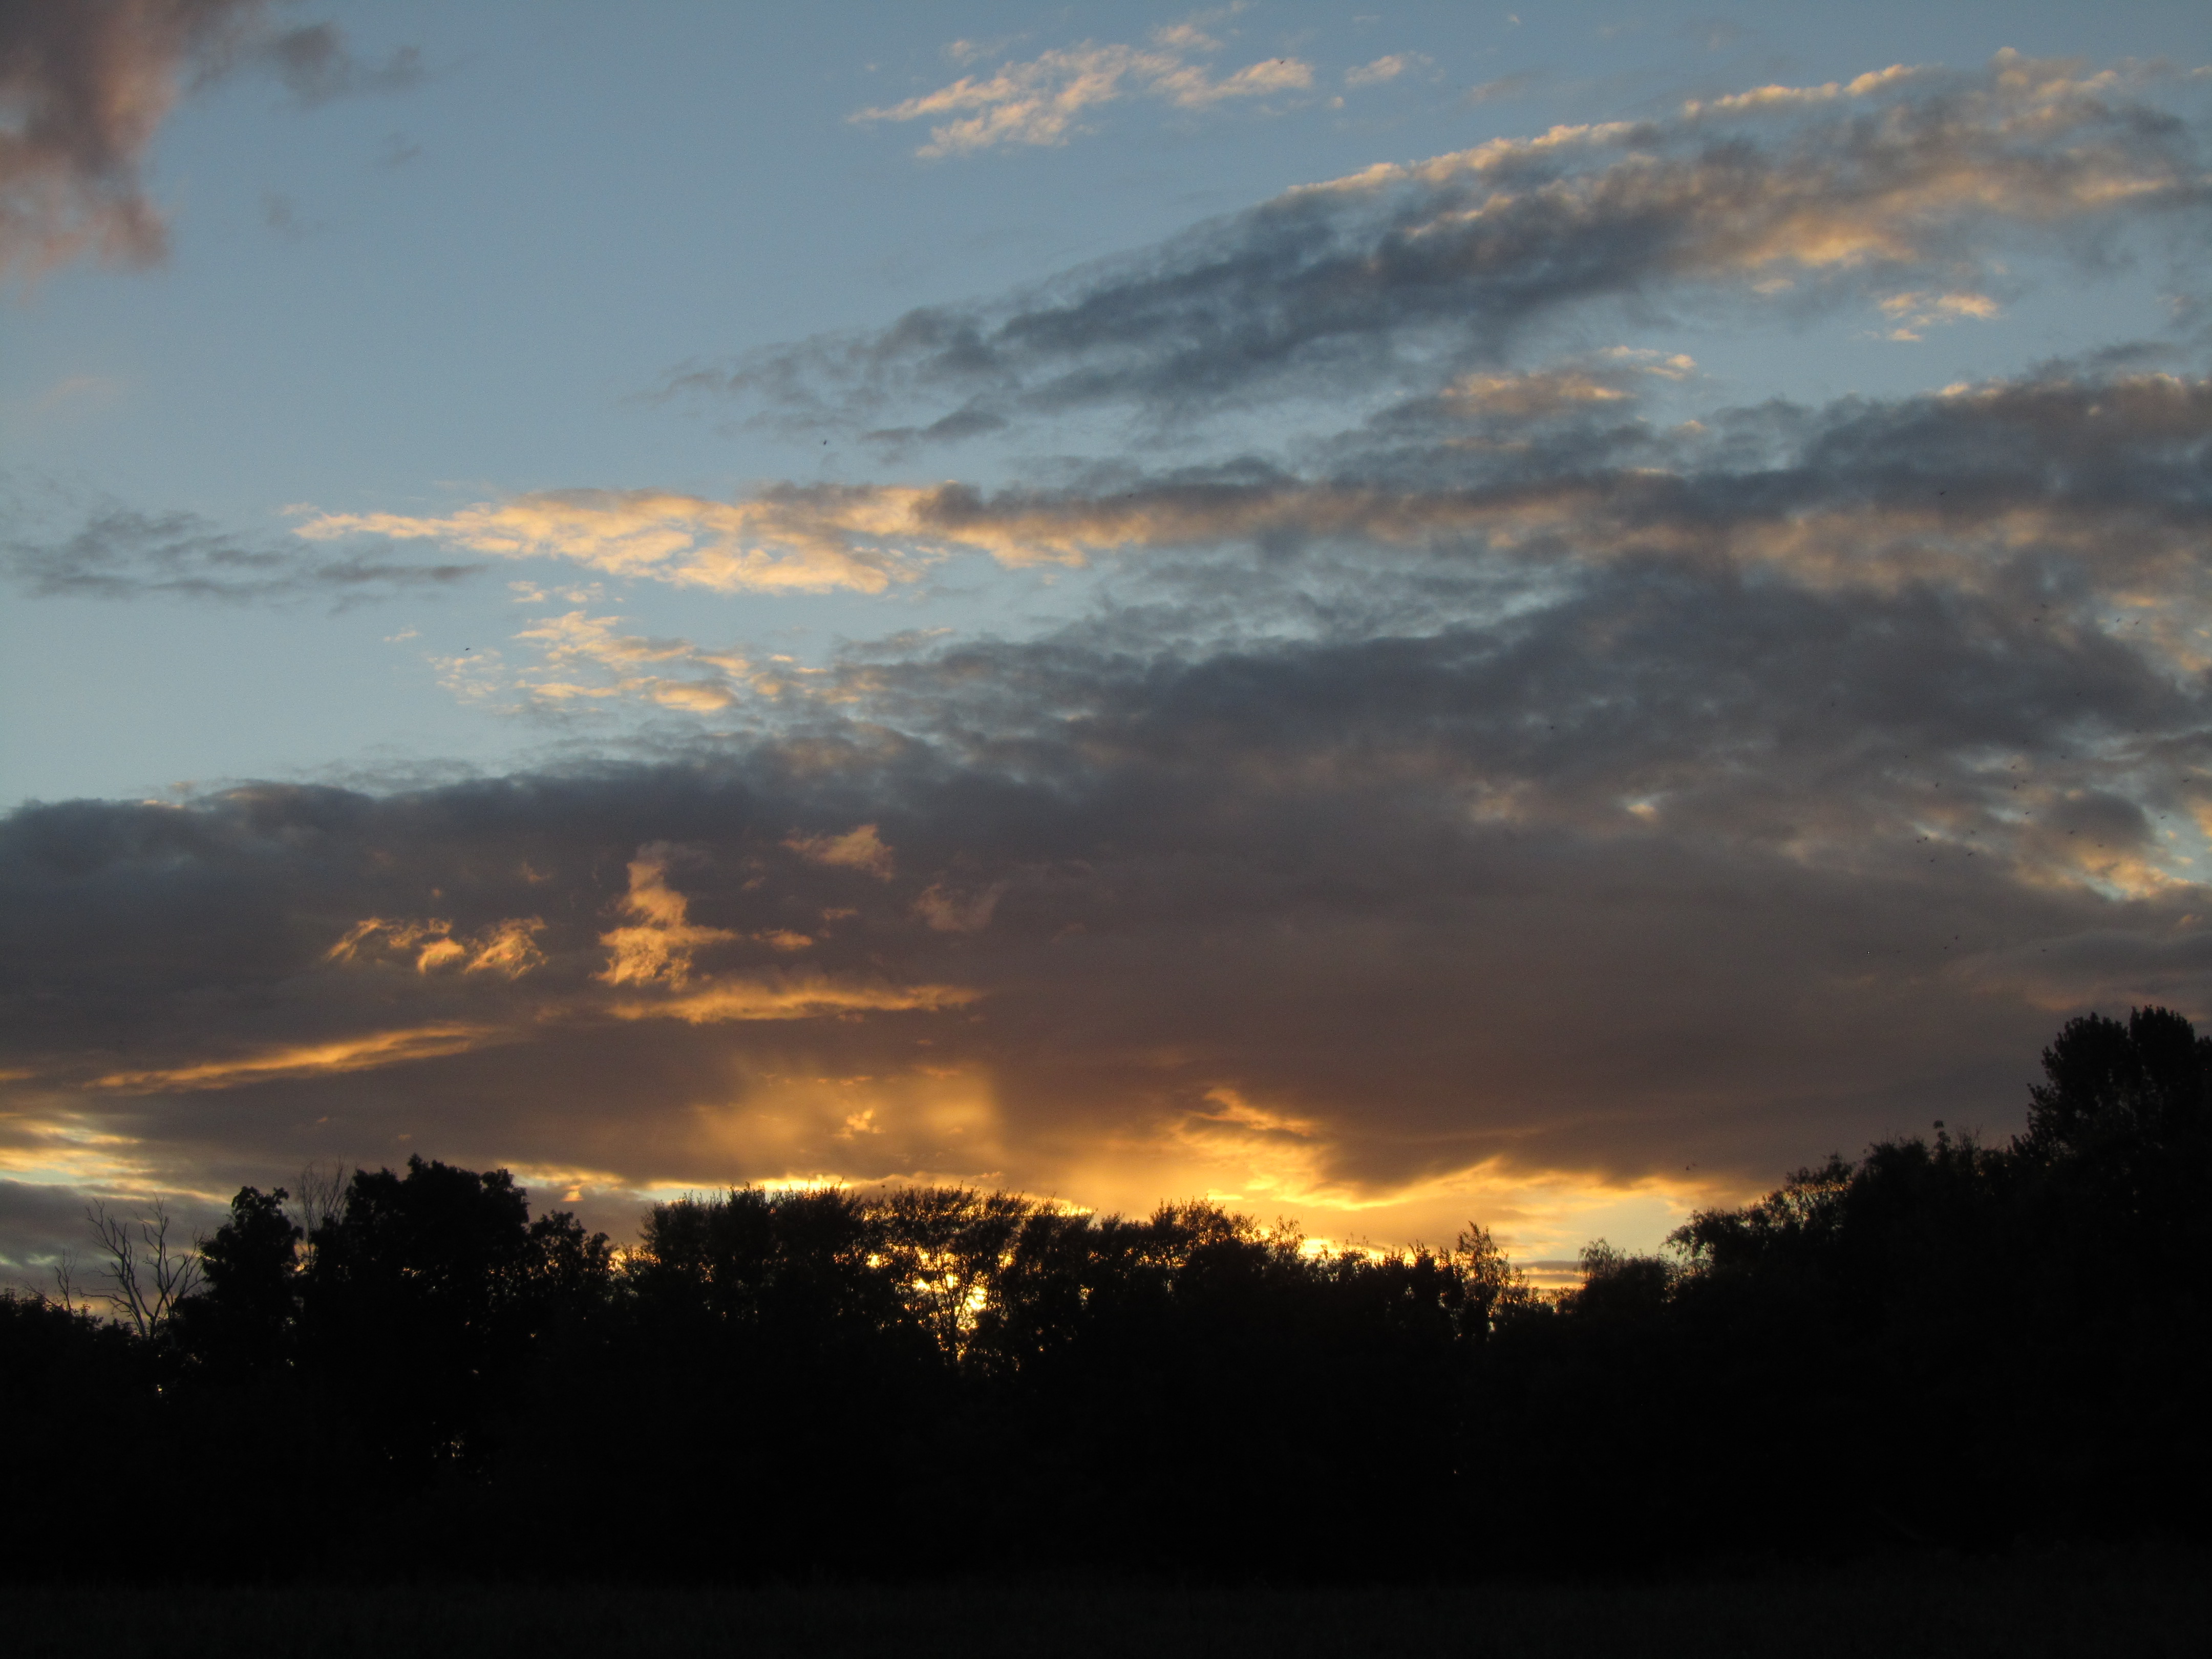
{"points": [[1390, 616]]}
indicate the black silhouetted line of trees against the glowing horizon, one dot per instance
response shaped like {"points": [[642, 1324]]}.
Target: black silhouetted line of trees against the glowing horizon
{"points": [[1941, 1344]]}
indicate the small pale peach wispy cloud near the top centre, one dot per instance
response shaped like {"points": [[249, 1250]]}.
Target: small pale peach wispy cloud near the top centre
{"points": [[1039, 103]]}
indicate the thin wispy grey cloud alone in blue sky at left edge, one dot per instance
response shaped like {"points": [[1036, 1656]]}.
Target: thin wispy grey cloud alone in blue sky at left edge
{"points": [[123, 554]]}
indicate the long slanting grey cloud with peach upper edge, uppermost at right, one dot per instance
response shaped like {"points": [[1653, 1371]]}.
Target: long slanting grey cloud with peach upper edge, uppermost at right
{"points": [[1780, 200]]}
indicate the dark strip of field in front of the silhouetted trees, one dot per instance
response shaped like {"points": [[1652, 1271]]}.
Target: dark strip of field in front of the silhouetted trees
{"points": [[2109, 1605]]}
